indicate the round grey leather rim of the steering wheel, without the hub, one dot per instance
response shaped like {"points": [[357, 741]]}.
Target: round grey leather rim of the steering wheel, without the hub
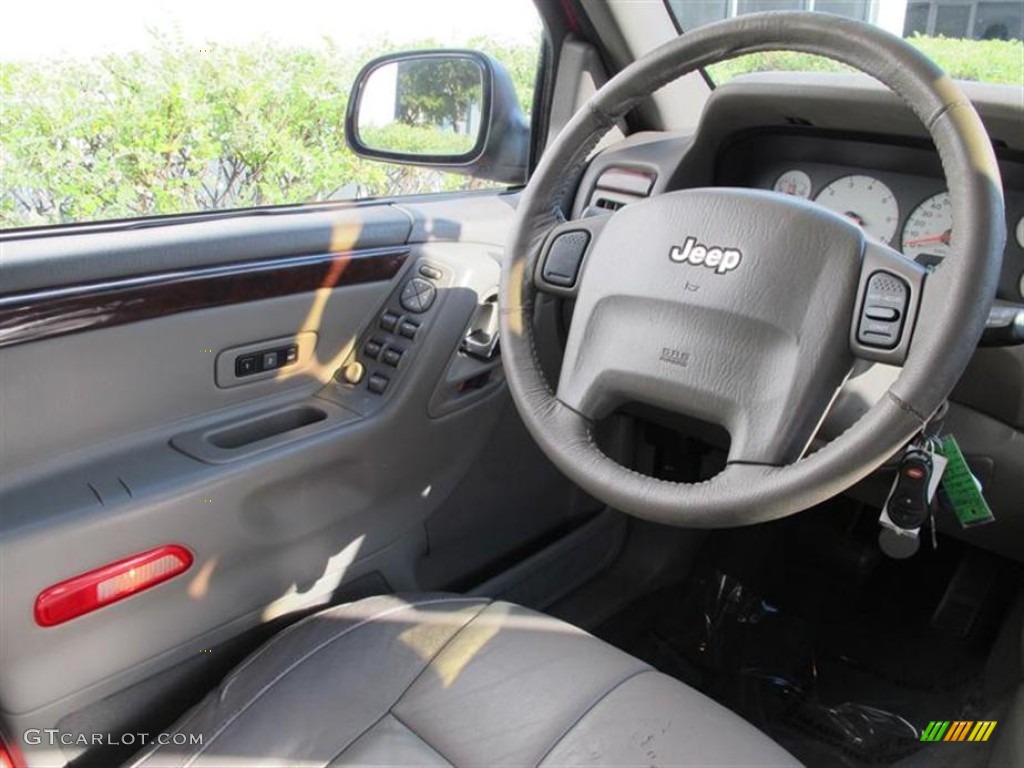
{"points": [[952, 313]]}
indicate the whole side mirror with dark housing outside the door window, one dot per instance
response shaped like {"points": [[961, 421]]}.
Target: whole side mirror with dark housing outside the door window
{"points": [[454, 111]]}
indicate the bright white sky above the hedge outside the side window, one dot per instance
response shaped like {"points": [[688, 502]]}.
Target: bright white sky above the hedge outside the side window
{"points": [[41, 29]]}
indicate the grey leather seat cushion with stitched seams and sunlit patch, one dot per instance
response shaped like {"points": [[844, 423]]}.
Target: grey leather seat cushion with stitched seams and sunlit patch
{"points": [[447, 680]]}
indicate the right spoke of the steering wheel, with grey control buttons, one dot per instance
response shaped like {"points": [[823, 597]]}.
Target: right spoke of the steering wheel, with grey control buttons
{"points": [[889, 296]]}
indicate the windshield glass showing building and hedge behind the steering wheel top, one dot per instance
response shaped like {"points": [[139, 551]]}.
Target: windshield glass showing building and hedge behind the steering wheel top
{"points": [[970, 39]]}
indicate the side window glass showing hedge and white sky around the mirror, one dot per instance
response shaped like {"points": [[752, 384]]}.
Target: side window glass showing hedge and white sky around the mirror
{"points": [[112, 110]]}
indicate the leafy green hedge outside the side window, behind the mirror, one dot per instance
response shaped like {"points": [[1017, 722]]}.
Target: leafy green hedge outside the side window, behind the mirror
{"points": [[179, 131]]}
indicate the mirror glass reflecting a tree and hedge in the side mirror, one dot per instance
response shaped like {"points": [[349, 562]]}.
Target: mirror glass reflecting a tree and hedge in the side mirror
{"points": [[425, 107]]}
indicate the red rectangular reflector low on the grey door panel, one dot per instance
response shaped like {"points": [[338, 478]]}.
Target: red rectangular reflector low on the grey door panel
{"points": [[87, 592]]}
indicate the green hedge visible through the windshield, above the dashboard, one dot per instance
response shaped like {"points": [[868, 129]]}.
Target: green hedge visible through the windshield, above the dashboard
{"points": [[987, 61]]}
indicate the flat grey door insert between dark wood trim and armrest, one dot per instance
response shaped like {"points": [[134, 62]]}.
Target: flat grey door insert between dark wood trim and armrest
{"points": [[82, 392]]}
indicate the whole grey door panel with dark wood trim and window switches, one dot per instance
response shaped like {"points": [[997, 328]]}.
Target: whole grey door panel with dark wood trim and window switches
{"points": [[118, 436]]}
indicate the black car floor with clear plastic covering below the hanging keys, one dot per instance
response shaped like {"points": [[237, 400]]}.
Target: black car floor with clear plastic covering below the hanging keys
{"points": [[841, 655]]}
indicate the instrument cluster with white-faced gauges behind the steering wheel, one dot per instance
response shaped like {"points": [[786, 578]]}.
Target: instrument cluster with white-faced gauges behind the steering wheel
{"points": [[894, 190]]}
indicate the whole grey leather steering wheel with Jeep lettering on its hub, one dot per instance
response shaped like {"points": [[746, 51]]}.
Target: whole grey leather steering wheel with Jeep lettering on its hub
{"points": [[747, 309]]}
